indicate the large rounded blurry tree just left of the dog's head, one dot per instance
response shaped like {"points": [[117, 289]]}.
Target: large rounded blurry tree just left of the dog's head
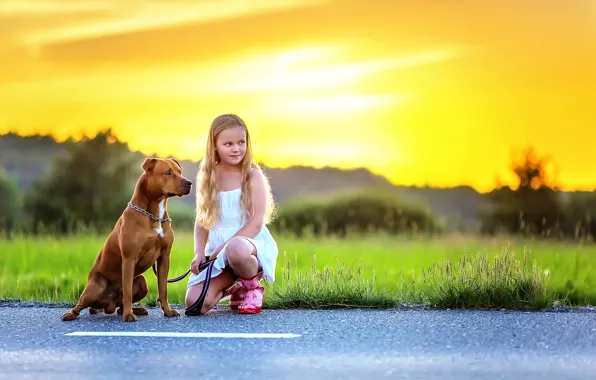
{"points": [[90, 186]]}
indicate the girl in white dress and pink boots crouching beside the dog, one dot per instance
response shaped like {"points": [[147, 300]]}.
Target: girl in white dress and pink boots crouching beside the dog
{"points": [[233, 206]]}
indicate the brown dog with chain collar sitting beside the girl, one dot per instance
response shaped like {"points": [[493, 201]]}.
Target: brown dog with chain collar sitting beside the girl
{"points": [[142, 235]]}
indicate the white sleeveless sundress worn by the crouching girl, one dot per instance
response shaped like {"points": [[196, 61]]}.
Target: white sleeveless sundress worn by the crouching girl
{"points": [[230, 222]]}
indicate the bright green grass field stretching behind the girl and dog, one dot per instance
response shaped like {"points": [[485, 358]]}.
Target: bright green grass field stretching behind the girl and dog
{"points": [[356, 272]]}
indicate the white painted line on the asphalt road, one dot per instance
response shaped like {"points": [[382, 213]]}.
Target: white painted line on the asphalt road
{"points": [[184, 335]]}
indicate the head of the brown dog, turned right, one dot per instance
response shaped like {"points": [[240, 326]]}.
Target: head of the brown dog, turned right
{"points": [[164, 177]]}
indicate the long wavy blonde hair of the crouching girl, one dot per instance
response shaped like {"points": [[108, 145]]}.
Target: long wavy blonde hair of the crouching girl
{"points": [[208, 209]]}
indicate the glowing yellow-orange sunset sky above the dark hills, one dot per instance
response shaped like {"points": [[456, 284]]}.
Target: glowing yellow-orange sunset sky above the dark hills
{"points": [[438, 92]]}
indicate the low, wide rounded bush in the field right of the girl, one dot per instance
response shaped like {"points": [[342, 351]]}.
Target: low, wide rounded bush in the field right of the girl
{"points": [[361, 211]]}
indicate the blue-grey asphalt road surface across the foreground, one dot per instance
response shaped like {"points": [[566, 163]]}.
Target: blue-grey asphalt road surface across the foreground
{"points": [[352, 344]]}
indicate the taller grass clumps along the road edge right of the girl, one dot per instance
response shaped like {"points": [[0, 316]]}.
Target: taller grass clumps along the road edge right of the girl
{"points": [[472, 281]]}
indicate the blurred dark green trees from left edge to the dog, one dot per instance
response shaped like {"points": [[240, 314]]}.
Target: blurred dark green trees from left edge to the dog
{"points": [[84, 190]]}
